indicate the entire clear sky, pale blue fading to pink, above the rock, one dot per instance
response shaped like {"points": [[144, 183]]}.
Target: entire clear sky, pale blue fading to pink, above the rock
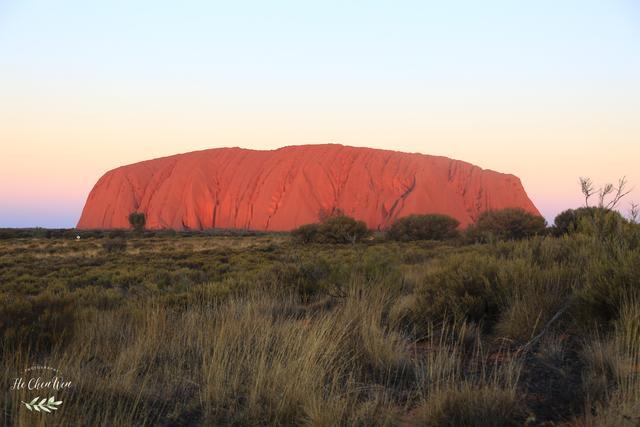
{"points": [[546, 90]]}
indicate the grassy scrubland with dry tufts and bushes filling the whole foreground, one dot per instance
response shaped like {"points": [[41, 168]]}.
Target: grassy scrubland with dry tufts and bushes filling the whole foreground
{"points": [[504, 325]]}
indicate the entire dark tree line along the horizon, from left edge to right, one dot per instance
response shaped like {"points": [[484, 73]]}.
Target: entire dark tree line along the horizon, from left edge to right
{"points": [[599, 218]]}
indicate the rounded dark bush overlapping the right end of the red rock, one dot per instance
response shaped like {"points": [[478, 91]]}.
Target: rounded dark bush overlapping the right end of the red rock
{"points": [[506, 224]]}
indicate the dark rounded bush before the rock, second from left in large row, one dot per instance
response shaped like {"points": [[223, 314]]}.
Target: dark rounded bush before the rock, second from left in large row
{"points": [[423, 227]]}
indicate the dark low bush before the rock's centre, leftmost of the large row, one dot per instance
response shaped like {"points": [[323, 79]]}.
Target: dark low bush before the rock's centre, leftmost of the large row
{"points": [[333, 229]]}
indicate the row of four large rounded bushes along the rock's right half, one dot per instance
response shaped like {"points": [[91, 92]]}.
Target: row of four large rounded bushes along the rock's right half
{"points": [[600, 219]]}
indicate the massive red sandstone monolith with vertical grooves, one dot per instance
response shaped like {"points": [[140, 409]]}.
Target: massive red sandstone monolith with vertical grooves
{"points": [[285, 188]]}
